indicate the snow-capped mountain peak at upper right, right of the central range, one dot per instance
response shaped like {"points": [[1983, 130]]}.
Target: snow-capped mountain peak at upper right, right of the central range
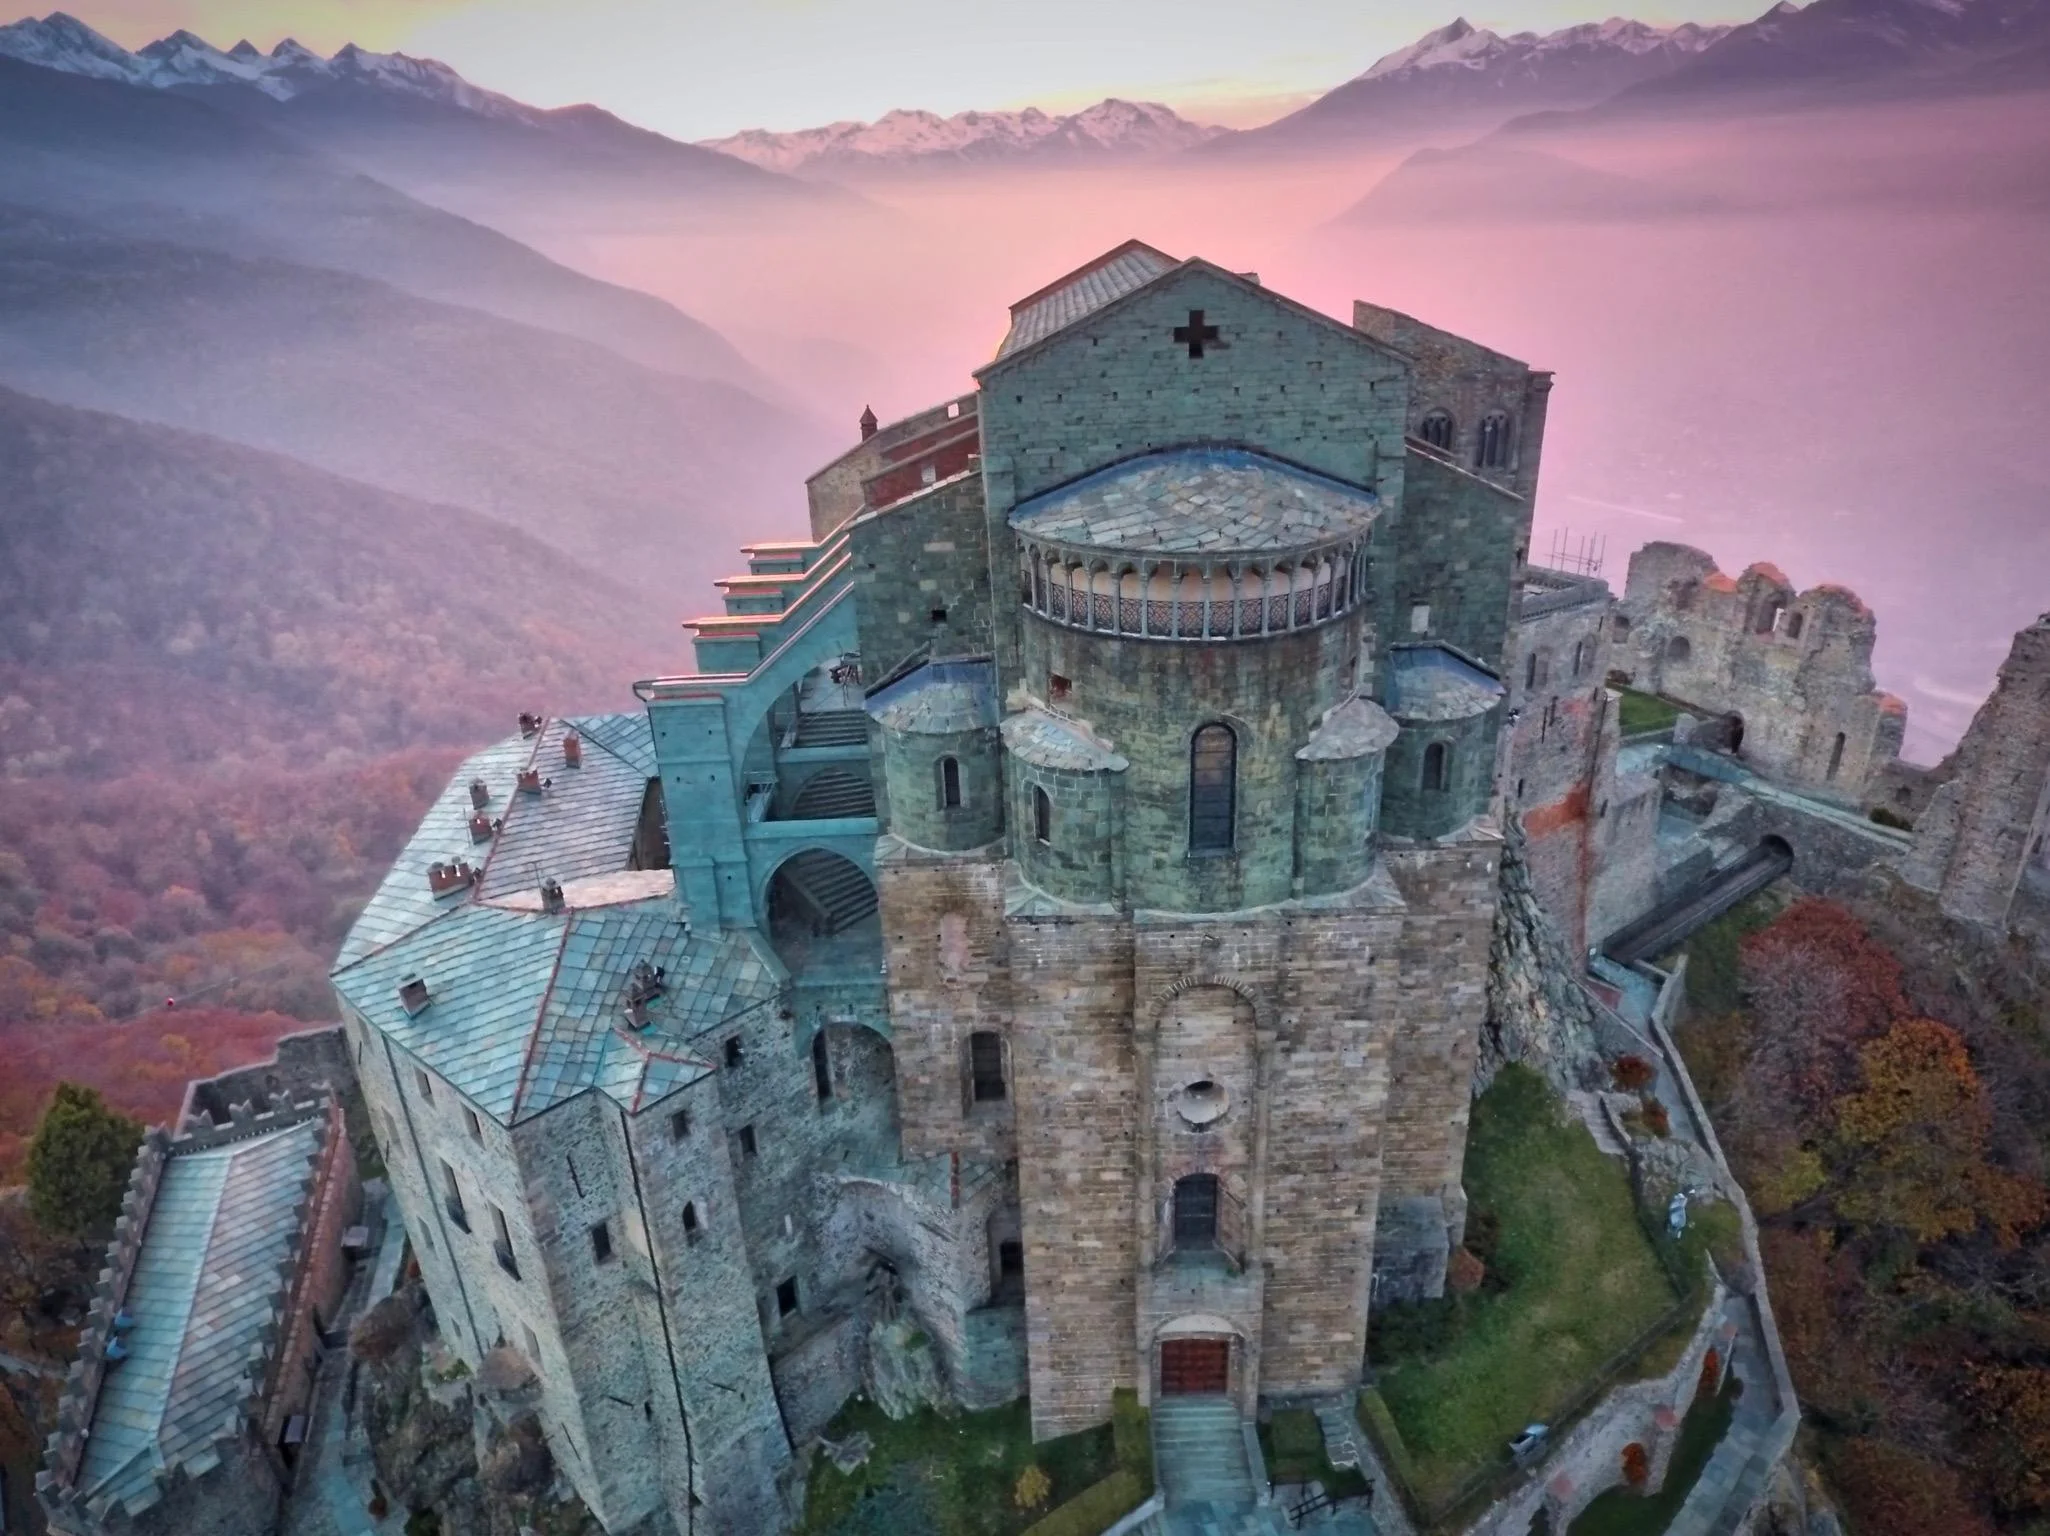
{"points": [[1465, 77]]}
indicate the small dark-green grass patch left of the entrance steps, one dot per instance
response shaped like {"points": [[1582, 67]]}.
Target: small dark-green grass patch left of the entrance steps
{"points": [[952, 1476]]}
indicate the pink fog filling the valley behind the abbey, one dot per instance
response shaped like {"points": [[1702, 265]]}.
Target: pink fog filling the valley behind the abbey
{"points": [[1815, 339]]}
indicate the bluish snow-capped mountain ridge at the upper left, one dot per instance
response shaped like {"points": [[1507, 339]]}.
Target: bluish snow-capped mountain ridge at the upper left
{"points": [[60, 42]]}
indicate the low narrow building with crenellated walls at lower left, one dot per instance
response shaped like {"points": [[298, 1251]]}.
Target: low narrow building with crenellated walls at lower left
{"points": [[186, 1408]]}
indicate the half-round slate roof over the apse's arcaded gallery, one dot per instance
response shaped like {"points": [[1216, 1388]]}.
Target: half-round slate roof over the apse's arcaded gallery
{"points": [[1198, 501]]}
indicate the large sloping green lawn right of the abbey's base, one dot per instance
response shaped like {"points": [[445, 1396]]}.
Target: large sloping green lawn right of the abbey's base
{"points": [[1573, 1281]]}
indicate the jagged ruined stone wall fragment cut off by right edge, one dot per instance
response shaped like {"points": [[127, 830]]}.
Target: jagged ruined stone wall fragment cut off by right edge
{"points": [[1979, 842]]}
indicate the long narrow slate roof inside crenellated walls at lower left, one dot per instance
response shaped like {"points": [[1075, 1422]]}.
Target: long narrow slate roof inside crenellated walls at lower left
{"points": [[204, 1287]]}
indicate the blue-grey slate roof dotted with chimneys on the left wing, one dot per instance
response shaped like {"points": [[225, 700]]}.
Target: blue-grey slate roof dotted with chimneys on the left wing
{"points": [[528, 1008]]}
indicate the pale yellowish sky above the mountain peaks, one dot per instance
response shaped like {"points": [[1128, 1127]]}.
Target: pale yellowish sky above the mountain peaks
{"points": [[702, 69]]}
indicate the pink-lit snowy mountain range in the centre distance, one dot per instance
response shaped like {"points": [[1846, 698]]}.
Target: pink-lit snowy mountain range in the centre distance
{"points": [[901, 138]]}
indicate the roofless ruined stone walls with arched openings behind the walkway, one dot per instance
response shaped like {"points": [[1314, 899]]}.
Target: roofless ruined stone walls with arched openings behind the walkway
{"points": [[1787, 676]]}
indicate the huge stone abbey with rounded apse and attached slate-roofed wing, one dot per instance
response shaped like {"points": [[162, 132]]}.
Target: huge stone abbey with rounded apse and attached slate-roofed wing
{"points": [[1057, 905]]}
